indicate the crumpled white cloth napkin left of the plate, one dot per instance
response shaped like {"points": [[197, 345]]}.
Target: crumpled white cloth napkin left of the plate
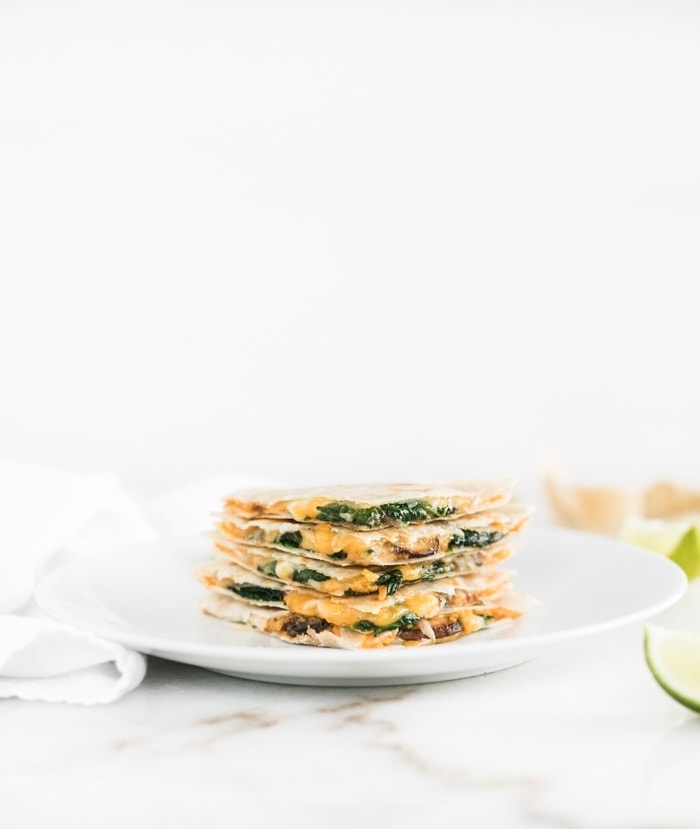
{"points": [[43, 511]]}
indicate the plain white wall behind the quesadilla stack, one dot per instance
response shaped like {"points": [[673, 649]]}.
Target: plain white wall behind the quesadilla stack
{"points": [[350, 239]]}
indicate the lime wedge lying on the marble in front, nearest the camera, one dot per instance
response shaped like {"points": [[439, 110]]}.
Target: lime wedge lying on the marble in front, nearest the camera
{"points": [[674, 660]]}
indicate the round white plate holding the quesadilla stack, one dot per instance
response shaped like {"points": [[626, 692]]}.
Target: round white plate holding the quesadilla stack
{"points": [[146, 598]]}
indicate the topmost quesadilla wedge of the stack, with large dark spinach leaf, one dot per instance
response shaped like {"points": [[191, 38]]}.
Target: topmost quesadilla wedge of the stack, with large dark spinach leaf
{"points": [[372, 506]]}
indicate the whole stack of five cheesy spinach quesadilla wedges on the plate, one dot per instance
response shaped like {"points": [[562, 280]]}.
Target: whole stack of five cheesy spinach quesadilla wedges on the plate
{"points": [[366, 566]]}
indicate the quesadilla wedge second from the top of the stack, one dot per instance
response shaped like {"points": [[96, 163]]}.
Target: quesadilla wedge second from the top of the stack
{"points": [[393, 545]]}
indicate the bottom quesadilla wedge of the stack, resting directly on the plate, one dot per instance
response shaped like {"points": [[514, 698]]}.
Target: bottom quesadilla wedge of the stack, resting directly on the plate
{"points": [[445, 625]]}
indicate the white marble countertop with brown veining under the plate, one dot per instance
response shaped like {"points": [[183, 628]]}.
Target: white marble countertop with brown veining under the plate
{"points": [[580, 738]]}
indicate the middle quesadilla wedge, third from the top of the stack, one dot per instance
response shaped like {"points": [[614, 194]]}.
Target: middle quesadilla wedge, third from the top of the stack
{"points": [[295, 570]]}
